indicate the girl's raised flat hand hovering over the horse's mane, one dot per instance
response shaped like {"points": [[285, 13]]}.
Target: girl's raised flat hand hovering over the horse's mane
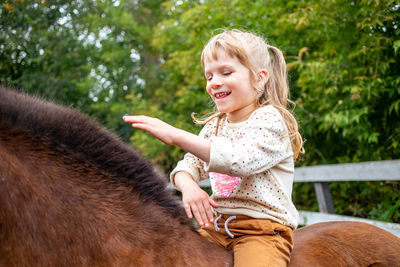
{"points": [[159, 129]]}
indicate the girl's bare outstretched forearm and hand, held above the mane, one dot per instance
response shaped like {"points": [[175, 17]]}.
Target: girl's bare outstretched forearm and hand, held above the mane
{"points": [[170, 135]]}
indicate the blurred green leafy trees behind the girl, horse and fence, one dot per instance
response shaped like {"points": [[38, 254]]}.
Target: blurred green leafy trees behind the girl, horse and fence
{"points": [[107, 58]]}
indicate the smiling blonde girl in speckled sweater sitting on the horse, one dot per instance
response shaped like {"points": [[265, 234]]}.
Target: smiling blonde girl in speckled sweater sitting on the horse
{"points": [[247, 149]]}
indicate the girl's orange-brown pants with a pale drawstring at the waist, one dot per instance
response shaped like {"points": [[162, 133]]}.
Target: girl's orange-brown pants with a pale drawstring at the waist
{"points": [[256, 242]]}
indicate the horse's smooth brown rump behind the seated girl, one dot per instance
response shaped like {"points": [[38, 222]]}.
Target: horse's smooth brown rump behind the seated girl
{"points": [[345, 244]]}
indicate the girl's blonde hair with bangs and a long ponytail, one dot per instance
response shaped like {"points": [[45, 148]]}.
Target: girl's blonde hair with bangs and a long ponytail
{"points": [[253, 52]]}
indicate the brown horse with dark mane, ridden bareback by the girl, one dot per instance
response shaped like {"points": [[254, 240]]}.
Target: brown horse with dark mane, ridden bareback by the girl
{"points": [[72, 194]]}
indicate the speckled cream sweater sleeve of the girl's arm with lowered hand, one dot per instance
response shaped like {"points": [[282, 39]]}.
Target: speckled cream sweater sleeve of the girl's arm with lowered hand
{"points": [[192, 164]]}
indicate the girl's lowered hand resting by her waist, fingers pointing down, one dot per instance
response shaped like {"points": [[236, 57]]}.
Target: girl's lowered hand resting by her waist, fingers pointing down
{"points": [[198, 203]]}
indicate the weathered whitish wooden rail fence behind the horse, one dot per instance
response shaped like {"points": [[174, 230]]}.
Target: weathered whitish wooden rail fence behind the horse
{"points": [[321, 175]]}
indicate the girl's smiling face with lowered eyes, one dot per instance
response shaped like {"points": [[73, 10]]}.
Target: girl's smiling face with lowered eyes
{"points": [[230, 87]]}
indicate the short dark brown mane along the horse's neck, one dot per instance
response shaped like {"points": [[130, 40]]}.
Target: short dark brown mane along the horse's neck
{"points": [[77, 134]]}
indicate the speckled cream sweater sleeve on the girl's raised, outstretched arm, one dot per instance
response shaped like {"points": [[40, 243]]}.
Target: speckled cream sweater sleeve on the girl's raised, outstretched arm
{"points": [[259, 146]]}
